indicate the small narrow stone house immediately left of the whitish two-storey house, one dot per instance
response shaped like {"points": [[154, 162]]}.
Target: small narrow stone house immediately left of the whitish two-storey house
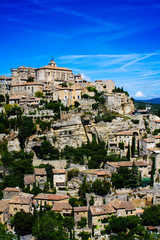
{"points": [[40, 176]]}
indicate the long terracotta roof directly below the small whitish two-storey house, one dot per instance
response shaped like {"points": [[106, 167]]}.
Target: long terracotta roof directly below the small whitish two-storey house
{"points": [[51, 197]]}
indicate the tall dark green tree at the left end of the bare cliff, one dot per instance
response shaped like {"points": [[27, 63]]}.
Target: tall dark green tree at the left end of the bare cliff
{"points": [[27, 129]]}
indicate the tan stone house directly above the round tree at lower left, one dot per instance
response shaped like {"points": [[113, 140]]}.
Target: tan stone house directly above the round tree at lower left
{"points": [[21, 202]]}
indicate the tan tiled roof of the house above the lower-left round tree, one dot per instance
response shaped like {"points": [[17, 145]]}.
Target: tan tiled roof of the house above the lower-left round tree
{"points": [[22, 198]]}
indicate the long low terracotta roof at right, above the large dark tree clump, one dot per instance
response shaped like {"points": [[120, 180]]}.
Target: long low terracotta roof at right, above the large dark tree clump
{"points": [[128, 164]]}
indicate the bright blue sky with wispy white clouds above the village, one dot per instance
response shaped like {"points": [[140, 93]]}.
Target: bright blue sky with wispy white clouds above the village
{"points": [[102, 39]]}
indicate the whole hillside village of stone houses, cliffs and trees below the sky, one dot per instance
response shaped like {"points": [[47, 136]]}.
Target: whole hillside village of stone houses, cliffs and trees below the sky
{"points": [[76, 158]]}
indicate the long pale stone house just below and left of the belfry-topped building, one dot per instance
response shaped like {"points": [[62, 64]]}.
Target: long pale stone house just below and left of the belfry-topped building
{"points": [[28, 89]]}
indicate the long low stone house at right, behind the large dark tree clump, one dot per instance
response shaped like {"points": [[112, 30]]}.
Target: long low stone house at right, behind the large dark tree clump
{"points": [[142, 166]]}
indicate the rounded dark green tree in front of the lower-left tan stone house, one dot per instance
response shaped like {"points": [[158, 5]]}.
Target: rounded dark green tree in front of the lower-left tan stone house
{"points": [[22, 223]]}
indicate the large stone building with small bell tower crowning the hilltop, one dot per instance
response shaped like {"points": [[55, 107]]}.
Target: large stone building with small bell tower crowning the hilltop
{"points": [[52, 73]]}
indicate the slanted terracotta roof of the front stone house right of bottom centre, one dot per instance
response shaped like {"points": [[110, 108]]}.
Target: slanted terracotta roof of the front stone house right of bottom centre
{"points": [[102, 210]]}
